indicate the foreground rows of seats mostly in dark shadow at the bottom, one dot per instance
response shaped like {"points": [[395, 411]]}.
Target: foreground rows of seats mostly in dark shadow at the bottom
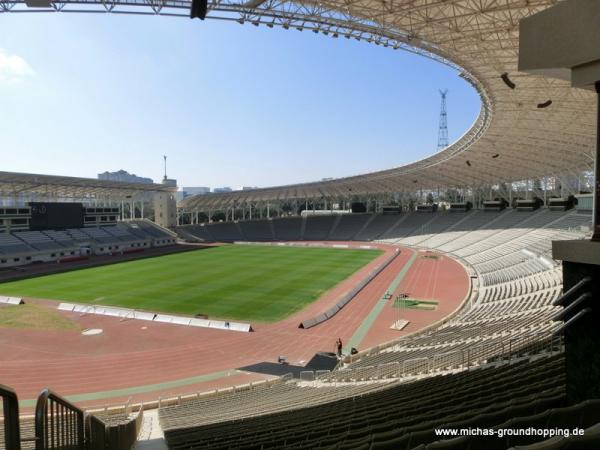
{"points": [[391, 416]]}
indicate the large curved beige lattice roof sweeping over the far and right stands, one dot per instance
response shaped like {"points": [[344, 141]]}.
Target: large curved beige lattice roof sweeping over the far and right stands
{"points": [[512, 139]]}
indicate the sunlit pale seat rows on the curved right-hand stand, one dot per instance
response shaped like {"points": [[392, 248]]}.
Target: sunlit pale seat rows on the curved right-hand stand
{"points": [[514, 283]]}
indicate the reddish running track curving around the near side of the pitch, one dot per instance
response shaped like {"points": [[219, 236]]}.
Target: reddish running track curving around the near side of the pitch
{"points": [[143, 361]]}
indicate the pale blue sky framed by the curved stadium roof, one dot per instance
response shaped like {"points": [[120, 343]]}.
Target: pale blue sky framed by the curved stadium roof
{"points": [[230, 105]]}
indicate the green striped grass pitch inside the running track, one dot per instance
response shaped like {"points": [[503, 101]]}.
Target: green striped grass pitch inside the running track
{"points": [[252, 283]]}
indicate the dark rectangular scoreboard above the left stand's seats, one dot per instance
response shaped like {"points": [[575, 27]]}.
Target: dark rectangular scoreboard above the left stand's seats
{"points": [[55, 216]]}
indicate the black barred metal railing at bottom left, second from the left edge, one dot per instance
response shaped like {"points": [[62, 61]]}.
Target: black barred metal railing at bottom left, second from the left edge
{"points": [[58, 423]]}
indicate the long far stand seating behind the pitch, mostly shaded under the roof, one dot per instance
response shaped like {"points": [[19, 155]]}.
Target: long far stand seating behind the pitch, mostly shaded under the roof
{"points": [[454, 232]]}
